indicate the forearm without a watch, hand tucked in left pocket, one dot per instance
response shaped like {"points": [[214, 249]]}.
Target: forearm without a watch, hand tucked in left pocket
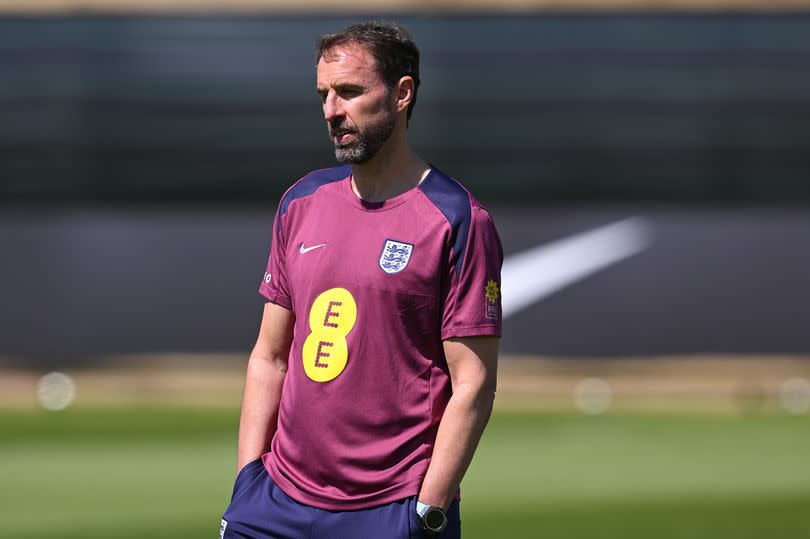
{"points": [[260, 402]]}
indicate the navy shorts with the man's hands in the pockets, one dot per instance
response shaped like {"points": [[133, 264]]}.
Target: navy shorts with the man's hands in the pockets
{"points": [[260, 510]]}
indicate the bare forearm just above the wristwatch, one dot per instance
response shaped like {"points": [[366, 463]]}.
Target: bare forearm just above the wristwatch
{"points": [[462, 424]]}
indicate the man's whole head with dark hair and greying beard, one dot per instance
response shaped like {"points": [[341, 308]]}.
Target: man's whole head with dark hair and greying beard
{"points": [[368, 76]]}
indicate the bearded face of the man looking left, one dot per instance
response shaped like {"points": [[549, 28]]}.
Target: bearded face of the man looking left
{"points": [[358, 107]]}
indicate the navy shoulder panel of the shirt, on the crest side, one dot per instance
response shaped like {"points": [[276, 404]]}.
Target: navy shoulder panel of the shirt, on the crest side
{"points": [[454, 202]]}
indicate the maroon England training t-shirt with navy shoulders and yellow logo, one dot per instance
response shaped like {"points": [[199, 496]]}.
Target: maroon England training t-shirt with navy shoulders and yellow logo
{"points": [[375, 288]]}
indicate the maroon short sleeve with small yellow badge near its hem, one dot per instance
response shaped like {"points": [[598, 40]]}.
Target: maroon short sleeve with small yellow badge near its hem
{"points": [[472, 305]]}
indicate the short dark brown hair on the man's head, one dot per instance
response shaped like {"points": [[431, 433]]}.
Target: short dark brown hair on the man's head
{"points": [[389, 43]]}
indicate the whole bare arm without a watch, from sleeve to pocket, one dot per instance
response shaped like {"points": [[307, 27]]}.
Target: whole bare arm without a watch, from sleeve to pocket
{"points": [[265, 376]]}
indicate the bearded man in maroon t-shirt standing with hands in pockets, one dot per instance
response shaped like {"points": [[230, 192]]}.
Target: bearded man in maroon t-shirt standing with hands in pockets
{"points": [[374, 371]]}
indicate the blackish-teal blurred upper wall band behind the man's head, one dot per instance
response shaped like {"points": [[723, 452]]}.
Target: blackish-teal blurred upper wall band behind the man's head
{"points": [[523, 107]]}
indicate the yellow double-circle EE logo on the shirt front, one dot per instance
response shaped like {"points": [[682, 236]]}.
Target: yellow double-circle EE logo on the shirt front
{"points": [[331, 318]]}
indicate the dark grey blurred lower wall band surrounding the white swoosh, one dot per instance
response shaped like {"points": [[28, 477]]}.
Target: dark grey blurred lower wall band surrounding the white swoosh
{"points": [[82, 284]]}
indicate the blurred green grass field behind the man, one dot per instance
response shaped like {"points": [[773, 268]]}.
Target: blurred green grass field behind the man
{"points": [[167, 473]]}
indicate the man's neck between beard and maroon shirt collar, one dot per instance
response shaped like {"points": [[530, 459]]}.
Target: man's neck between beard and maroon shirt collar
{"points": [[394, 170]]}
